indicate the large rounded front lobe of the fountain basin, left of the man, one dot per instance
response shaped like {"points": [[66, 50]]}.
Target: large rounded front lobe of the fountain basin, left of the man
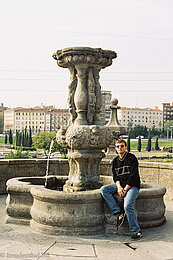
{"points": [[56, 212]]}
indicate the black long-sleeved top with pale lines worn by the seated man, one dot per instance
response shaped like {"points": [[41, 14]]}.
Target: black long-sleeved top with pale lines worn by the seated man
{"points": [[126, 171]]}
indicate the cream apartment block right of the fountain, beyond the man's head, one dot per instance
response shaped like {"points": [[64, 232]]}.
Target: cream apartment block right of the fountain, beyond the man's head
{"points": [[148, 117]]}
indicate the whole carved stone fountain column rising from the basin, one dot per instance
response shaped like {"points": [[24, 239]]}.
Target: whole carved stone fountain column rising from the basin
{"points": [[85, 137]]}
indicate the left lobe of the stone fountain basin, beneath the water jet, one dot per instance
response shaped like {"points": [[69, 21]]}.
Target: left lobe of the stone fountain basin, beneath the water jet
{"points": [[20, 199]]}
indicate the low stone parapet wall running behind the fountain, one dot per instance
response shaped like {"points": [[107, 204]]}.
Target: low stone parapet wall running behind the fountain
{"points": [[158, 173]]}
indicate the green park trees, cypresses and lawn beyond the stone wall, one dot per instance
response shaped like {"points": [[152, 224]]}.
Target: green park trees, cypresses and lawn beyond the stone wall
{"points": [[24, 141]]}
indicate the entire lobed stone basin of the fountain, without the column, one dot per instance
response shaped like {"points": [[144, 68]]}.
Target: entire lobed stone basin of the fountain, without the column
{"points": [[57, 212]]}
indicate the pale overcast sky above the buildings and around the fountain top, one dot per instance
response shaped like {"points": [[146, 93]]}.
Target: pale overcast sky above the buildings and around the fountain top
{"points": [[140, 31]]}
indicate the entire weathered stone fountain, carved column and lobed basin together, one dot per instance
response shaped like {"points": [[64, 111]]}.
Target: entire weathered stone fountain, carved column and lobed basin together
{"points": [[72, 205]]}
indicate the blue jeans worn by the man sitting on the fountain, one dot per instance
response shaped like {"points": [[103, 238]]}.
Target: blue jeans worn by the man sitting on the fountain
{"points": [[108, 191]]}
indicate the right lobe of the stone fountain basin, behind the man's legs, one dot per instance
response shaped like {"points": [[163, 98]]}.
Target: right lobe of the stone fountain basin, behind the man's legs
{"points": [[149, 207]]}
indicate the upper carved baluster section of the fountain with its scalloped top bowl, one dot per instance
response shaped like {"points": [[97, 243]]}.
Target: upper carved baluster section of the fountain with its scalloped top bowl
{"points": [[84, 64]]}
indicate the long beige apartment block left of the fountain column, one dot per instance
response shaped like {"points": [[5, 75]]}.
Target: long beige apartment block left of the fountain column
{"points": [[38, 118]]}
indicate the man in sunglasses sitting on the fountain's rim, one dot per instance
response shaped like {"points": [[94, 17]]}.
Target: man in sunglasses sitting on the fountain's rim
{"points": [[127, 185]]}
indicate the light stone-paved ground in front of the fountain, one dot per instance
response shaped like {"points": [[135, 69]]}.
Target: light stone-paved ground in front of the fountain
{"points": [[20, 242]]}
